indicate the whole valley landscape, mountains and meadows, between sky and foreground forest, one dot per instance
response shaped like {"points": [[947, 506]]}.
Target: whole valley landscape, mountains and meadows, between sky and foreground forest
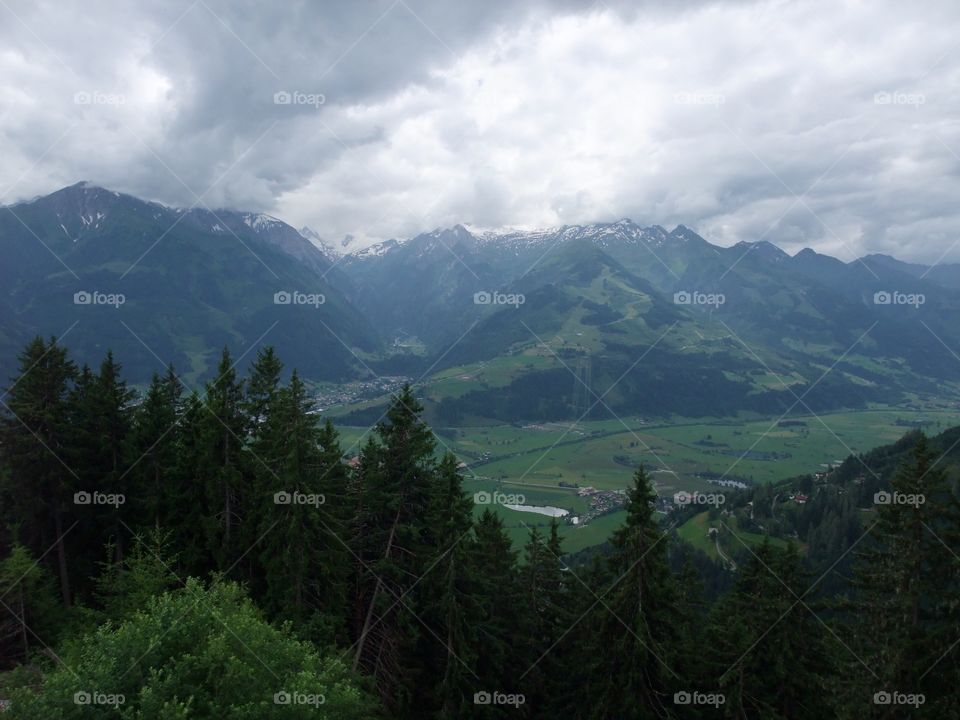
{"points": [[547, 361]]}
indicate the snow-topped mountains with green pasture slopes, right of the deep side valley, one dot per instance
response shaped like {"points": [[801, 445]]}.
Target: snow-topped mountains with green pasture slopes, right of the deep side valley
{"points": [[601, 296]]}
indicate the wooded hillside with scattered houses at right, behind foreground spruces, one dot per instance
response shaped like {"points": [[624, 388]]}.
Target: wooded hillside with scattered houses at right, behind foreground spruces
{"points": [[828, 515]]}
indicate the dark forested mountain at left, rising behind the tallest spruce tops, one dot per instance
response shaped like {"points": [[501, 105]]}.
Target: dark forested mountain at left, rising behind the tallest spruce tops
{"points": [[191, 282]]}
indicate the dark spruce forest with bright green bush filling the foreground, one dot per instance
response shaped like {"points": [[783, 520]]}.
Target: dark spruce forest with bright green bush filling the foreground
{"points": [[210, 554]]}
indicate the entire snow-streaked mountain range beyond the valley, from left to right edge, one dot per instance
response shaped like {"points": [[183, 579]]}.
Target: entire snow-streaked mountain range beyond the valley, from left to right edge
{"points": [[502, 325]]}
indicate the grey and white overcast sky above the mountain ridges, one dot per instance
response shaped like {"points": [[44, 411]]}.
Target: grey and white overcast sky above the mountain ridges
{"points": [[831, 124]]}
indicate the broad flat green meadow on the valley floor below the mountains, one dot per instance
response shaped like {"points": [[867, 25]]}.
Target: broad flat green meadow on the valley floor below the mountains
{"points": [[681, 456]]}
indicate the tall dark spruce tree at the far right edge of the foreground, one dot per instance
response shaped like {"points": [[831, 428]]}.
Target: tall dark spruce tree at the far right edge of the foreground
{"points": [[906, 582]]}
